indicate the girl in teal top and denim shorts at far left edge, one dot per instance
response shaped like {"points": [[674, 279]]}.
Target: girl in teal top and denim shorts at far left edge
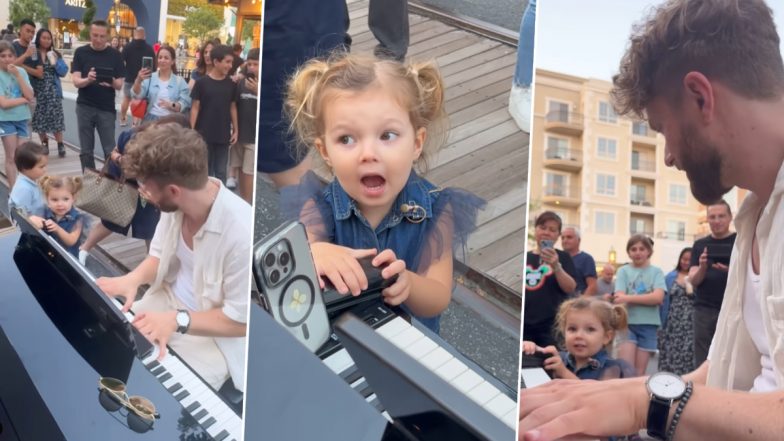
{"points": [[15, 97]]}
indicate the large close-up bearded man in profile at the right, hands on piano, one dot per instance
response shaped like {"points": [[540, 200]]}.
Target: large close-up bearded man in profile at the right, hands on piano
{"points": [[709, 76]]}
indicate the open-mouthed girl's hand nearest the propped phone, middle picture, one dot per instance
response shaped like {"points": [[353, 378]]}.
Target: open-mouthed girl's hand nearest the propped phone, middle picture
{"points": [[339, 264]]}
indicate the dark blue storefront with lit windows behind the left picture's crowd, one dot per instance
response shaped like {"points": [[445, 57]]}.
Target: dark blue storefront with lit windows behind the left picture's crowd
{"points": [[122, 16]]}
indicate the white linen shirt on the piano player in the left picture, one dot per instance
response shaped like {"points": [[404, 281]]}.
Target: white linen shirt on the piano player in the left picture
{"points": [[221, 266]]}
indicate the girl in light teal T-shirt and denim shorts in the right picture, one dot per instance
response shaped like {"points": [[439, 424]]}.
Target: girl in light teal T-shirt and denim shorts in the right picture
{"points": [[640, 286]]}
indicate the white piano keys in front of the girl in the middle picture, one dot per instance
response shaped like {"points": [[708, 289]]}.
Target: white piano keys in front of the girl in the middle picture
{"points": [[419, 346]]}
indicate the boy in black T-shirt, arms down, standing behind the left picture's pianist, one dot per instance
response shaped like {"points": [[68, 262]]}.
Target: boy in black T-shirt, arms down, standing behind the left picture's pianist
{"points": [[214, 111]]}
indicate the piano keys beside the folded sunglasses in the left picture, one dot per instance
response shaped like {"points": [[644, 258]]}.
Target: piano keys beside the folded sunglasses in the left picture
{"points": [[196, 397]]}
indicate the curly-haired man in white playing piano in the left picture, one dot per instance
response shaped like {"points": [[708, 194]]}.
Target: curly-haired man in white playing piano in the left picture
{"points": [[198, 267]]}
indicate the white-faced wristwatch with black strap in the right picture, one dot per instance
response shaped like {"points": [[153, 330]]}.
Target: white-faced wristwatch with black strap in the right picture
{"points": [[664, 389]]}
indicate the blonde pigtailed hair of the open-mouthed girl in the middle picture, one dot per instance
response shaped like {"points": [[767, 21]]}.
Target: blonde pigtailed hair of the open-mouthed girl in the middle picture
{"points": [[419, 86]]}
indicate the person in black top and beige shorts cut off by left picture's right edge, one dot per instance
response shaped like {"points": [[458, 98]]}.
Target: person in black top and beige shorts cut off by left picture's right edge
{"points": [[243, 153]]}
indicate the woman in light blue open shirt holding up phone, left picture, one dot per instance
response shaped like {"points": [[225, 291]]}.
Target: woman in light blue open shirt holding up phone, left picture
{"points": [[164, 91]]}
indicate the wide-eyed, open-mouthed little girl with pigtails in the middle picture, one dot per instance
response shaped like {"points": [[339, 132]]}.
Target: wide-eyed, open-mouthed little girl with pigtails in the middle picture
{"points": [[372, 121]]}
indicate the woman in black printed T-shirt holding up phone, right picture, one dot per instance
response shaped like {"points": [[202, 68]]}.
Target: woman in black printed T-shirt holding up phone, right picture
{"points": [[549, 281]]}
